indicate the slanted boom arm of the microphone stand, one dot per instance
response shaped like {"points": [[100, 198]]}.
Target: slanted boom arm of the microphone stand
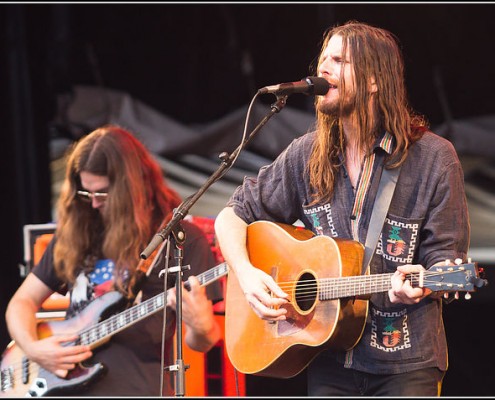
{"points": [[226, 164]]}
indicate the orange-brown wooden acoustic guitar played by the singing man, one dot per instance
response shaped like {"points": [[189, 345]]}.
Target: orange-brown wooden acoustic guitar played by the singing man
{"points": [[328, 298]]}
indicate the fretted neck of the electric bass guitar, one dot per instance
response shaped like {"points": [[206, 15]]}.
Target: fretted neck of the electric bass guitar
{"points": [[101, 331]]}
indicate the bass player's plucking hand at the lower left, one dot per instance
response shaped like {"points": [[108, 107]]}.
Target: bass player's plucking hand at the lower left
{"points": [[55, 355]]}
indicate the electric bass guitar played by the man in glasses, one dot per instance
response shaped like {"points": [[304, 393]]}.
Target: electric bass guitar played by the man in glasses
{"points": [[20, 377]]}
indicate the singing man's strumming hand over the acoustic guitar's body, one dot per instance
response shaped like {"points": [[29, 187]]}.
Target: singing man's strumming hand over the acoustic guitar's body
{"points": [[262, 293]]}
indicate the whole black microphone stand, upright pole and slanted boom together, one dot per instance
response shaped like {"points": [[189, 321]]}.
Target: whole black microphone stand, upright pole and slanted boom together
{"points": [[179, 214]]}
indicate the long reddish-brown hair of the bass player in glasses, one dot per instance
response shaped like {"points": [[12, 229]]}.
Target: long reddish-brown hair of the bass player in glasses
{"points": [[138, 202]]}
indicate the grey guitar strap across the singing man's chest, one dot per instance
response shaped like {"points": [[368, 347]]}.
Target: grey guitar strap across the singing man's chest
{"points": [[386, 189]]}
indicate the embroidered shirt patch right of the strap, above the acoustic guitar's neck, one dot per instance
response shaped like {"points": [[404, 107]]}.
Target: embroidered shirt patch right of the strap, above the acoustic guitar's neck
{"points": [[400, 243]]}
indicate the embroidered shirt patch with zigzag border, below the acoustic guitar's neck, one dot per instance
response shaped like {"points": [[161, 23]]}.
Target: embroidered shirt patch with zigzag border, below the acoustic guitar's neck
{"points": [[389, 330]]}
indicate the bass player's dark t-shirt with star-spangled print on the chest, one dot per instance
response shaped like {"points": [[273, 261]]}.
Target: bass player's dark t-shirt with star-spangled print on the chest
{"points": [[132, 356]]}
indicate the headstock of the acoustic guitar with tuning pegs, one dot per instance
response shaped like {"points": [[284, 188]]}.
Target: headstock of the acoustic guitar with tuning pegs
{"points": [[454, 277]]}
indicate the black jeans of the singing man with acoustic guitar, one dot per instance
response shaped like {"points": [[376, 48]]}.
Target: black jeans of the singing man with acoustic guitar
{"points": [[326, 377]]}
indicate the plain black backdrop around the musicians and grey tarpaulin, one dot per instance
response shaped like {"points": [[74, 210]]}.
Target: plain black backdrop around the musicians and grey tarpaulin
{"points": [[198, 62]]}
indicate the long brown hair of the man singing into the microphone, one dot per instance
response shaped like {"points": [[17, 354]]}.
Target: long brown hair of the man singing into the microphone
{"points": [[374, 52]]}
